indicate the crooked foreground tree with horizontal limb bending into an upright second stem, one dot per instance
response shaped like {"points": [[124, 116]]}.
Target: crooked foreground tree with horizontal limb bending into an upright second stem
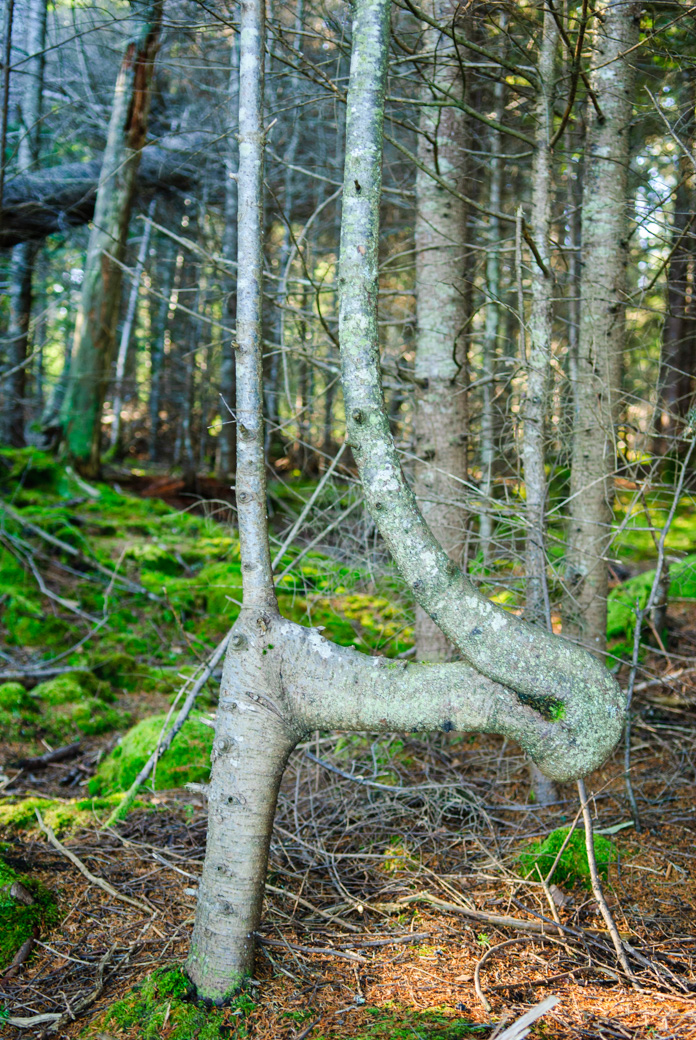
{"points": [[281, 681]]}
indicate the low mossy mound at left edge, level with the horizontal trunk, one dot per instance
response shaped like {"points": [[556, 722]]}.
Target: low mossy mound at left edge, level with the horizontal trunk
{"points": [[64, 709]]}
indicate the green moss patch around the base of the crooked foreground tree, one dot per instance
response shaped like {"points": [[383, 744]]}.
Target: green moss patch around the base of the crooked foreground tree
{"points": [[168, 996]]}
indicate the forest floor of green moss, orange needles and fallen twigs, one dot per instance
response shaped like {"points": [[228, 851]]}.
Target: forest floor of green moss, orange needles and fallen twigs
{"points": [[393, 862]]}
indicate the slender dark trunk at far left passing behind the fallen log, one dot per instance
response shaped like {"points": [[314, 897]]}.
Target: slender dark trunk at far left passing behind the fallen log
{"points": [[24, 255]]}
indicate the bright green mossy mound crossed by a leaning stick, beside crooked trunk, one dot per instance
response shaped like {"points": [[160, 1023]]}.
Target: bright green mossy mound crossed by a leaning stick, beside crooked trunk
{"points": [[187, 762]]}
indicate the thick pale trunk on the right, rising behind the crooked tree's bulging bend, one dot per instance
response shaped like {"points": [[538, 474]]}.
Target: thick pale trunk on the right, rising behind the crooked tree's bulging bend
{"points": [[602, 339]]}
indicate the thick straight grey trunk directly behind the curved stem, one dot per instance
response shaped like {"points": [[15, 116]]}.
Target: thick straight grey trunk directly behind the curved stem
{"points": [[442, 314]]}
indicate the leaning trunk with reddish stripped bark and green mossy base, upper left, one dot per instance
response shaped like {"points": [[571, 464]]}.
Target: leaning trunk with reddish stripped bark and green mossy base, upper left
{"points": [[95, 334]]}
